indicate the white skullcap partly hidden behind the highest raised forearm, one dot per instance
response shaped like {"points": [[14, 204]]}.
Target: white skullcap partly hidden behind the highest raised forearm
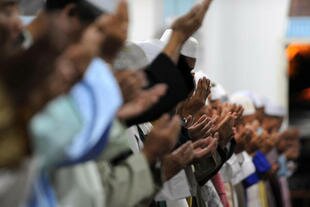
{"points": [[190, 47]]}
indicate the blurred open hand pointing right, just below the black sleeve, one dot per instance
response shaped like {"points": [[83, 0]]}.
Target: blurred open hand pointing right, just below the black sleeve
{"points": [[141, 103]]}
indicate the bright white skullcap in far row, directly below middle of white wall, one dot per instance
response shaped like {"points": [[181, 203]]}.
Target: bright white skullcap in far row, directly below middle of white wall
{"points": [[245, 102]]}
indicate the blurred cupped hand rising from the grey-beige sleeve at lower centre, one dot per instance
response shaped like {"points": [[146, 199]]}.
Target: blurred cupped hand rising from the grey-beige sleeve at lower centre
{"points": [[162, 138]]}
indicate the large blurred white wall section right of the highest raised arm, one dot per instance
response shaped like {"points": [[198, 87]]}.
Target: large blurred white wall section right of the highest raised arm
{"points": [[243, 43]]}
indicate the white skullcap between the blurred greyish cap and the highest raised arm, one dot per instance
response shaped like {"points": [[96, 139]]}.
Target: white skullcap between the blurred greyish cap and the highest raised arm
{"points": [[151, 49]]}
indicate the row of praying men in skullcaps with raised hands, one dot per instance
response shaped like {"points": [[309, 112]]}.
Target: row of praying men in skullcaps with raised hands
{"points": [[89, 119]]}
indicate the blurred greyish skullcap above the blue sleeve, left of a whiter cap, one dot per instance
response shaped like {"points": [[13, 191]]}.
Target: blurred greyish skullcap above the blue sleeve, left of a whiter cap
{"points": [[130, 57]]}
